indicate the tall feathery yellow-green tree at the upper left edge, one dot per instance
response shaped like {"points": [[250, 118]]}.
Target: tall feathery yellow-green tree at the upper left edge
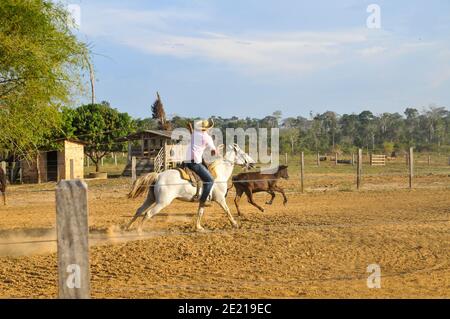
{"points": [[40, 64]]}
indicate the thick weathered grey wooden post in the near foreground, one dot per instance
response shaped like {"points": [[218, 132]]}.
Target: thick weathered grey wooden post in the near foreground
{"points": [[73, 240]]}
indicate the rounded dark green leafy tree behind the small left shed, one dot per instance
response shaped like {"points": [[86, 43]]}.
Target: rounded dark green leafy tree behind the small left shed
{"points": [[99, 126]]}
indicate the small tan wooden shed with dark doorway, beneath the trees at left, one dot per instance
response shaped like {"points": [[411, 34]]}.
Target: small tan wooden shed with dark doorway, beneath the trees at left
{"points": [[53, 166]]}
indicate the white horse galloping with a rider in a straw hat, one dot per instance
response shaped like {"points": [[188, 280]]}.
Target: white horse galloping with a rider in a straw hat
{"points": [[164, 187]]}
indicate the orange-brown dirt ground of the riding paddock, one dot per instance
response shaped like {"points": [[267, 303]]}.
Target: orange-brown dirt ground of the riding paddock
{"points": [[319, 245]]}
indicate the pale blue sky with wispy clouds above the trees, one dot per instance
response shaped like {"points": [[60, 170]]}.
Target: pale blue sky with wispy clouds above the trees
{"points": [[250, 58]]}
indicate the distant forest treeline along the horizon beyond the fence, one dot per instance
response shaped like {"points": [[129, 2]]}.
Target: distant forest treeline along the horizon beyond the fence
{"points": [[427, 130]]}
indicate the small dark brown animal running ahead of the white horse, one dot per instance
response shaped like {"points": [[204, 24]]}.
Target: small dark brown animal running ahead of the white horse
{"points": [[256, 182]]}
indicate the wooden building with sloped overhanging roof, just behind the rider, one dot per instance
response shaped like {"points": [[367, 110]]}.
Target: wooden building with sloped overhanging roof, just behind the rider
{"points": [[154, 150]]}
